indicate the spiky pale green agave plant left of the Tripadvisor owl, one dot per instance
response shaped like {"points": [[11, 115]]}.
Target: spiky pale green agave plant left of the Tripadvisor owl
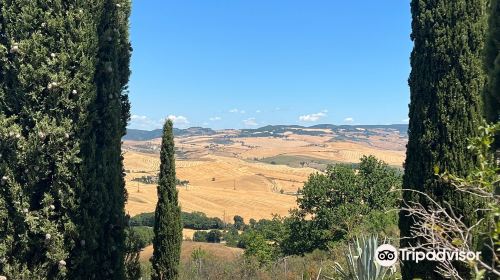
{"points": [[361, 264]]}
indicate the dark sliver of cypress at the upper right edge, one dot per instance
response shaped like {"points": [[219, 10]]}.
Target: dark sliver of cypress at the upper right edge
{"points": [[492, 63]]}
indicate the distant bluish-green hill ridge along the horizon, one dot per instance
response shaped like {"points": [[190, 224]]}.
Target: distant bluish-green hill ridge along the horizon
{"points": [[270, 130]]}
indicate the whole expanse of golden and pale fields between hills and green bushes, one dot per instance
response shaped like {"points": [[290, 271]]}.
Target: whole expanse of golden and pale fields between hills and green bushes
{"points": [[253, 177]]}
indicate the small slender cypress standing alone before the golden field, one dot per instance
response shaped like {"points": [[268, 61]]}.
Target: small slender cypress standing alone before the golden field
{"points": [[168, 228]]}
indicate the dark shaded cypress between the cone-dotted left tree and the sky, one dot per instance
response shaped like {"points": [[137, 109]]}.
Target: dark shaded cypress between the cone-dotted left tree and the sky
{"points": [[101, 218]]}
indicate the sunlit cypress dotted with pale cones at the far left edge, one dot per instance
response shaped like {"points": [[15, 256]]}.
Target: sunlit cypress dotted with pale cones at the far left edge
{"points": [[47, 53]]}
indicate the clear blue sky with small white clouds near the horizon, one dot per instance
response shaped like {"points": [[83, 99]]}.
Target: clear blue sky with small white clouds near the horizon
{"points": [[250, 63]]}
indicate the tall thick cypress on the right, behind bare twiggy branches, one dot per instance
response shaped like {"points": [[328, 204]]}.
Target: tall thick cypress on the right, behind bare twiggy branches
{"points": [[446, 83]]}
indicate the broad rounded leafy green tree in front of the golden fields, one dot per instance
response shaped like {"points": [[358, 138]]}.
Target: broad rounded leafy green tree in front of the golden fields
{"points": [[336, 205]]}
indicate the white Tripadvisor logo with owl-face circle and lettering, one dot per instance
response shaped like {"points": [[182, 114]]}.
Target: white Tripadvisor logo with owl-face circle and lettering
{"points": [[387, 255]]}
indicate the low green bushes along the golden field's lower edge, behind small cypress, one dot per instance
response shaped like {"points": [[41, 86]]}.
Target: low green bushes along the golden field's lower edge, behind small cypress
{"points": [[194, 220]]}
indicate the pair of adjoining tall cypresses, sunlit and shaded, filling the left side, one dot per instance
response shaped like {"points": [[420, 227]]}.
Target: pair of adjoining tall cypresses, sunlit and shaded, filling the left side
{"points": [[63, 111]]}
